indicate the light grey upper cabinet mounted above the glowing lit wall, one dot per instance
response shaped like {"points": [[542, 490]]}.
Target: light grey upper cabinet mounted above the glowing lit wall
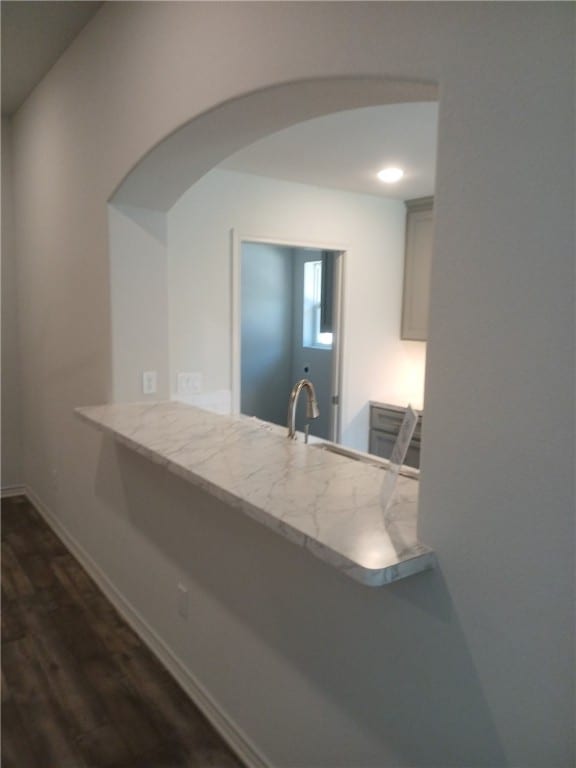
{"points": [[418, 257]]}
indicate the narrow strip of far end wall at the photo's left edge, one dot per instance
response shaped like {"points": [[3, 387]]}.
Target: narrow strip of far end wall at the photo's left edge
{"points": [[11, 473]]}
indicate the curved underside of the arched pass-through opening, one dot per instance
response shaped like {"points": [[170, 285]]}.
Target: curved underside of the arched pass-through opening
{"points": [[183, 157]]}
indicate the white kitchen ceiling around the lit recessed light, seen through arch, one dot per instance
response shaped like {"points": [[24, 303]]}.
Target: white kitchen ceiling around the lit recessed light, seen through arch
{"points": [[347, 149]]}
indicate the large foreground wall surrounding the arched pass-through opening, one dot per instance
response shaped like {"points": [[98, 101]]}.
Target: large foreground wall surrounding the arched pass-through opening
{"points": [[472, 664]]}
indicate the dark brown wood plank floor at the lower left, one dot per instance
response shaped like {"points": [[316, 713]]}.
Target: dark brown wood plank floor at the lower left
{"points": [[79, 689]]}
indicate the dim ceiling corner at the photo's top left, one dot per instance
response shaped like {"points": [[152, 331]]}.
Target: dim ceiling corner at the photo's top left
{"points": [[34, 36]]}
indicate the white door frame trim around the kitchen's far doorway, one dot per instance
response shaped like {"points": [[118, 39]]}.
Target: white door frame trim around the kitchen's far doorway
{"points": [[237, 241]]}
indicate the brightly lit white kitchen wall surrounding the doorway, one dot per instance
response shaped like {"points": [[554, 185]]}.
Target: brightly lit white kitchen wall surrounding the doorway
{"points": [[377, 365]]}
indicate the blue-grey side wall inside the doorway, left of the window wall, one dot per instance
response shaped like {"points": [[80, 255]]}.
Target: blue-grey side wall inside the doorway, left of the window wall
{"points": [[266, 339]]}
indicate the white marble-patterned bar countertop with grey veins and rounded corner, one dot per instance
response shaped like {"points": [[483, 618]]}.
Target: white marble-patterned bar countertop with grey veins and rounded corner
{"points": [[324, 502]]}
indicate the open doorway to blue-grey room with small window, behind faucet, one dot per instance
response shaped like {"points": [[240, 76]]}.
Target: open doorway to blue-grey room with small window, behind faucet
{"points": [[289, 308]]}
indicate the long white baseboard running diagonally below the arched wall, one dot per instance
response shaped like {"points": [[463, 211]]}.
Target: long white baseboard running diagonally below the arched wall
{"points": [[229, 731]]}
